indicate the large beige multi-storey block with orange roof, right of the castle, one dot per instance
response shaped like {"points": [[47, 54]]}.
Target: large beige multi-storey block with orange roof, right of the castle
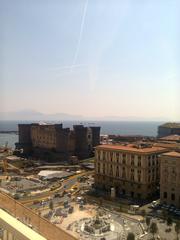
{"points": [[133, 170]]}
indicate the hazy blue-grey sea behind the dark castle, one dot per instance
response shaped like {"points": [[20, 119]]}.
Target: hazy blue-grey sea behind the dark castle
{"points": [[144, 128]]}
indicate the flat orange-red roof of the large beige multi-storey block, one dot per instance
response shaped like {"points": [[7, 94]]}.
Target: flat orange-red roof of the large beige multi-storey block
{"points": [[132, 148]]}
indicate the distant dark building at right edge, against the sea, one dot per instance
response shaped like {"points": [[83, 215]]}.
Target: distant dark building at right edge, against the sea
{"points": [[168, 129]]}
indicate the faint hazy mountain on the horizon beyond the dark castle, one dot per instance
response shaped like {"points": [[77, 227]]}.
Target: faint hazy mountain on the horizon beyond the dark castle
{"points": [[34, 115]]}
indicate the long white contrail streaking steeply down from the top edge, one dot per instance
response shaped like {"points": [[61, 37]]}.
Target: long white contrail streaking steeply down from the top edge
{"points": [[80, 34]]}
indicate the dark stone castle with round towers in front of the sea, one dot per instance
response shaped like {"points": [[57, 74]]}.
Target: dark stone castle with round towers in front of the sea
{"points": [[52, 141]]}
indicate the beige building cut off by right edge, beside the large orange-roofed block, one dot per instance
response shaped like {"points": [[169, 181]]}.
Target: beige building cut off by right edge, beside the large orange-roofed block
{"points": [[170, 178]]}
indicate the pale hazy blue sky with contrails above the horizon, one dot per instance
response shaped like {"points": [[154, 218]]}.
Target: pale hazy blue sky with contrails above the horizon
{"points": [[91, 57]]}
